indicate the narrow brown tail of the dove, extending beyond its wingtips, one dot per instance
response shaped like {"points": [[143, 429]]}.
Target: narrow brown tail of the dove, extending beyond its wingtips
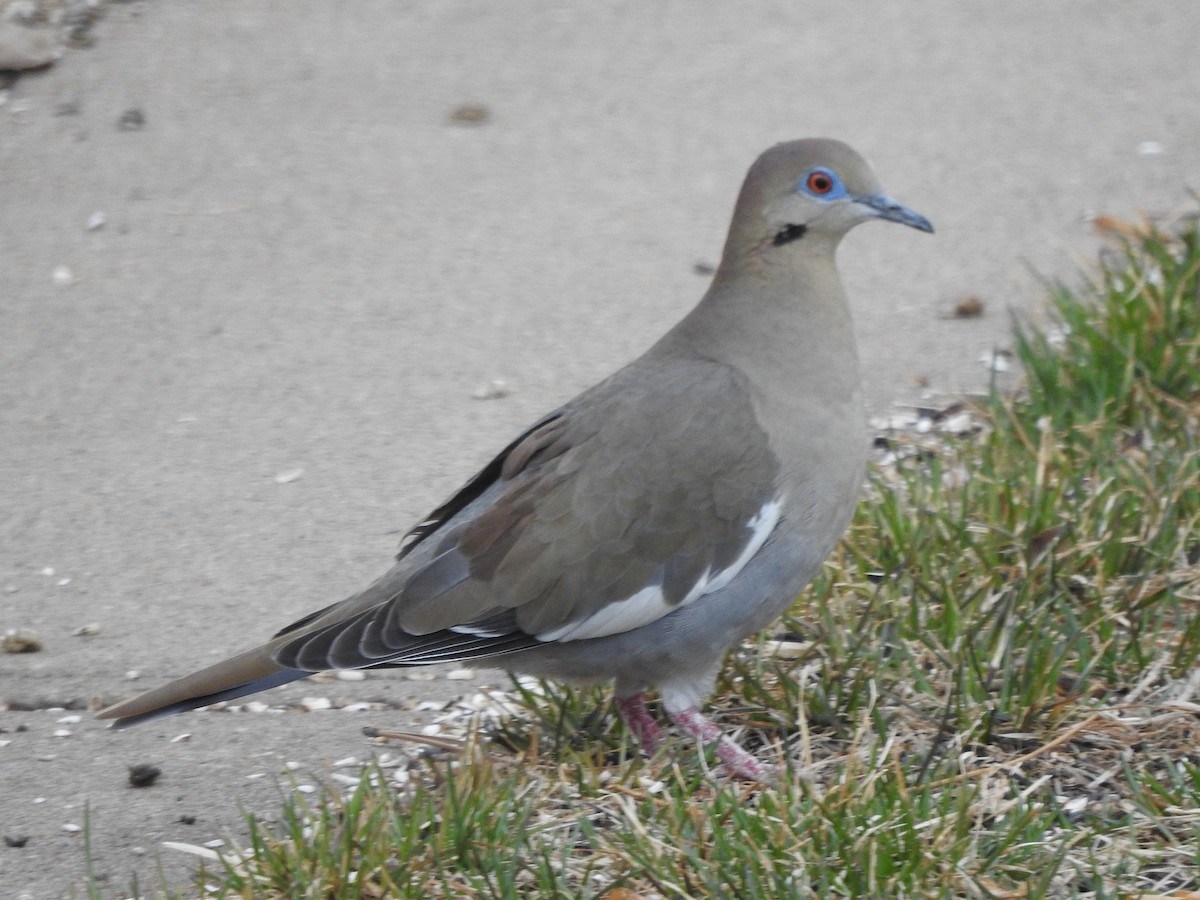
{"points": [[248, 674]]}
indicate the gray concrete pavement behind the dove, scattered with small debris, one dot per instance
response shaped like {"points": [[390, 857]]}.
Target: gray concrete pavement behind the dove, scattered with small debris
{"points": [[304, 266]]}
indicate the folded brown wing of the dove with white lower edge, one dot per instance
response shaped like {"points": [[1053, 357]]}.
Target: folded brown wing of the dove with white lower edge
{"points": [[604, 517]]}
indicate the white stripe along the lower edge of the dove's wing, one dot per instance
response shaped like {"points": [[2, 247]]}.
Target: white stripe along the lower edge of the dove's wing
{"points": [[650, 604]]}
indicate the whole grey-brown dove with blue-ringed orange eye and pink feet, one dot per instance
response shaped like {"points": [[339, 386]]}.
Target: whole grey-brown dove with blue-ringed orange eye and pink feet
{"points": [[640, 531]]}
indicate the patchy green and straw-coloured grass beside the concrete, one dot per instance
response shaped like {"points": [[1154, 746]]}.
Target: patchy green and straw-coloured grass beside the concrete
{"points": [[991, 692]]}
